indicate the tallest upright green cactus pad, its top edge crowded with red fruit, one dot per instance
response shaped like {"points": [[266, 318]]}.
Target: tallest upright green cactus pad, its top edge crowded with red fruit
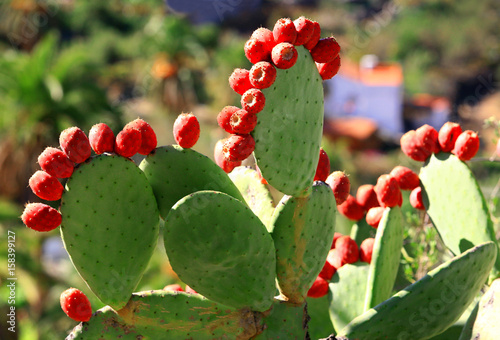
{"points": [[289, 128]]}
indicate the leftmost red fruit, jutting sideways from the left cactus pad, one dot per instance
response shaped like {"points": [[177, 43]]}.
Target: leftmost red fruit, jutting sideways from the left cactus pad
{"points": [[41, 217]]}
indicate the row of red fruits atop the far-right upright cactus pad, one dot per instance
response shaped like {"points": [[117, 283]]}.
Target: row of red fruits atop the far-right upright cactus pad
{"points": [[420, 144]]}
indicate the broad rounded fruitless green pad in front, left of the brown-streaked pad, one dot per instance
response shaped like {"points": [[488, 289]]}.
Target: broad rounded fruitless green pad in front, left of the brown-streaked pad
{"points": [[222, 250]]}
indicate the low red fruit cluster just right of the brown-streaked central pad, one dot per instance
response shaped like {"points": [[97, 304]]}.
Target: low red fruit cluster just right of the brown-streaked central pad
{"points": [[344, 251]]}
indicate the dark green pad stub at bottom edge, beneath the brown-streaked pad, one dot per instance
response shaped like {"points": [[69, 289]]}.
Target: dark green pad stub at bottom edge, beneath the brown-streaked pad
{"points": [[285, 321]]}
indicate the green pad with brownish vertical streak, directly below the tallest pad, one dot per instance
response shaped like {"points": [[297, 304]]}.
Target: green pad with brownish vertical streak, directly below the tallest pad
{"points": [[303, 233]]}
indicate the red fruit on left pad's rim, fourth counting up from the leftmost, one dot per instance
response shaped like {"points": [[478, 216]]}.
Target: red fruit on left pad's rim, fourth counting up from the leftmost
{"points": [[75, 144]]}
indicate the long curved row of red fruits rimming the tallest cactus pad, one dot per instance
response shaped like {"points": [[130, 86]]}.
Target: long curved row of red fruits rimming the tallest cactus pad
{"points": [[268, 50]]}
